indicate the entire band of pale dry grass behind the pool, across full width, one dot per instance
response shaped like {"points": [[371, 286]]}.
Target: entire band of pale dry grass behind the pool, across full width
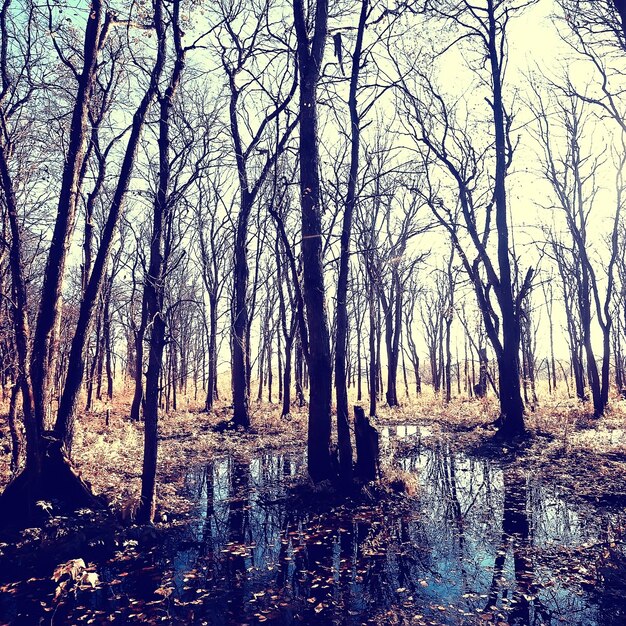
{"points": [[110, 457]]}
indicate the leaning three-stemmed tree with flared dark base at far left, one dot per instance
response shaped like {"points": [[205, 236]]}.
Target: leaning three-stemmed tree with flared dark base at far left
{"points": [[48, 473]]}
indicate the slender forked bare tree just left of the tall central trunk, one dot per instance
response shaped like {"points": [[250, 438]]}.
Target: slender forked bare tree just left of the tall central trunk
{"points": [[246, 62]]}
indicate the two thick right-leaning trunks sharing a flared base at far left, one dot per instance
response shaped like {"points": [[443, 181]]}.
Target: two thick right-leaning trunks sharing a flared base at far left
{"points": [[50, 474]]}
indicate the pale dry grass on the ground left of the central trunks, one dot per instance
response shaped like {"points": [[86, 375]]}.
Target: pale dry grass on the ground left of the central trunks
{"points": [[110, 457]]}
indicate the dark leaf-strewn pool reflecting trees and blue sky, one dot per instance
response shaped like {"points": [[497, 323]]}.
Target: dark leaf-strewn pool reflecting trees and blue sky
{"points": [[482, 543]]}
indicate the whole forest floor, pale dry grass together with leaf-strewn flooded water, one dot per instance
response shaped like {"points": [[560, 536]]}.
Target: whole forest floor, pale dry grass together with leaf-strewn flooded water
{"points": [[569, 458]]}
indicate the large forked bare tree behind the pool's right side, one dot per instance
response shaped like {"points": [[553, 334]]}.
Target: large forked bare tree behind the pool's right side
{"points": [[449, 154]]}
